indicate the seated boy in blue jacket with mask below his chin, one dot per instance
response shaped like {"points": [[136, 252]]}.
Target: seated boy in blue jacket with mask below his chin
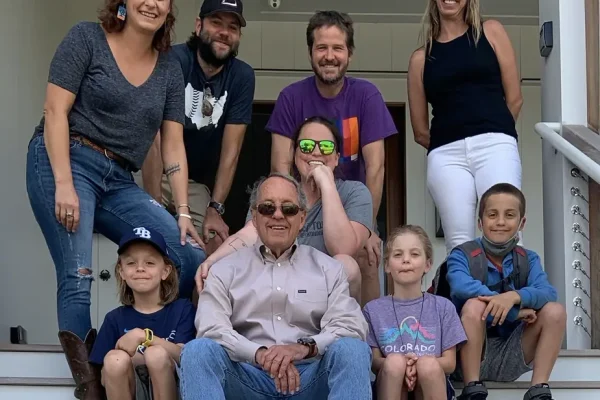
{"points": [[509, 331]]}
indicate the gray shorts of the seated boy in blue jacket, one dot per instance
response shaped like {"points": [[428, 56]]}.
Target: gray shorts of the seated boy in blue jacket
{"points": [[503, 359]]}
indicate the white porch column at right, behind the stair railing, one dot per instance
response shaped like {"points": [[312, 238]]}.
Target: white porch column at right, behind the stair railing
{"points": [[564, 100]]}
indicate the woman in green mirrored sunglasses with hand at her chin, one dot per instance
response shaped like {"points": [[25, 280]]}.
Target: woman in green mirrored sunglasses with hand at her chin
{"points": [[340, 212]]}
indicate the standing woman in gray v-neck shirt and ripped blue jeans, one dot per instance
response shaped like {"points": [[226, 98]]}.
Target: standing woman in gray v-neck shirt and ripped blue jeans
{"points": [[111, 87]]}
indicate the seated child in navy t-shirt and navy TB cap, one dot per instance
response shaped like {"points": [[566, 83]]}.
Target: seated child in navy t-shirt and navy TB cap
{"points": [[140, 342]]}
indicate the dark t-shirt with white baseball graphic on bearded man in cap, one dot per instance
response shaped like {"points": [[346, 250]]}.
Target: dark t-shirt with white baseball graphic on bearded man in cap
{"points": [[210, 104]]}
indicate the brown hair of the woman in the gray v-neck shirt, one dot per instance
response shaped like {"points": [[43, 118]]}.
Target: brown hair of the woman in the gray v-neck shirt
{"points": [[162, 38]]}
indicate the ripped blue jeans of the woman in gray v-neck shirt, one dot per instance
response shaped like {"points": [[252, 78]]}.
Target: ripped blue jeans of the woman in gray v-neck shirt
{"points": [[111, 203]]}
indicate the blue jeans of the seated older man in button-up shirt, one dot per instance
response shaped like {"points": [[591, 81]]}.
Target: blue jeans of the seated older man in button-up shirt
{"points": [[207, 372]]}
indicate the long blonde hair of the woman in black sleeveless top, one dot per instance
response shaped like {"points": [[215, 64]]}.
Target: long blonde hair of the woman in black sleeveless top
{"points": [[431, 24]]}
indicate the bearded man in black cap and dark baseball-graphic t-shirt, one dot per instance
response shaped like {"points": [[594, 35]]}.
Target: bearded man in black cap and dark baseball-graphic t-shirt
{"points": [[219, 91]]}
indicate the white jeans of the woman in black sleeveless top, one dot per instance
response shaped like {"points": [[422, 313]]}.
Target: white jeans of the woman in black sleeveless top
{"points": [[460, 172]]}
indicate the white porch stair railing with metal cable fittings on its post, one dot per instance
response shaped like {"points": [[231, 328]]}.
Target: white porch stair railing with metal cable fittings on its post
{"points": [[575, 275]]}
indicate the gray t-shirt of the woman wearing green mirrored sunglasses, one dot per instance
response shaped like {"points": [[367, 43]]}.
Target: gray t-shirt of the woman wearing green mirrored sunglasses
{"points": [[357, 203]]}
